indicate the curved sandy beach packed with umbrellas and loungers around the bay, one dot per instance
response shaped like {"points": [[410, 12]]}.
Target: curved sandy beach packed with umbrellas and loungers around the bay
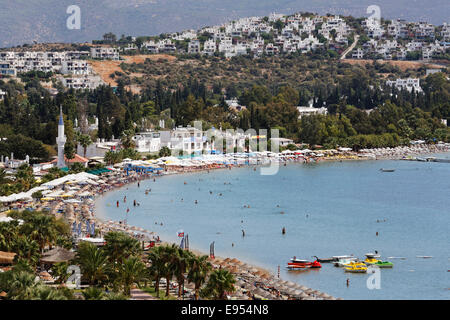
{"points": [[252, 281]]}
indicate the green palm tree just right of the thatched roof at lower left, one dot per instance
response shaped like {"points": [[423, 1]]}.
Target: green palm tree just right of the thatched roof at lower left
{"points": [[93, 262]]}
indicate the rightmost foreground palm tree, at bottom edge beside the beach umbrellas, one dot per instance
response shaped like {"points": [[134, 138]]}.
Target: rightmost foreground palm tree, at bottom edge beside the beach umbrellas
{"points": [[220, 281]]}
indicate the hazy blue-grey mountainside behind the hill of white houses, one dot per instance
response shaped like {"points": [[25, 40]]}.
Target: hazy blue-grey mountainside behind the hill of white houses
{"points": [[26, 21]]}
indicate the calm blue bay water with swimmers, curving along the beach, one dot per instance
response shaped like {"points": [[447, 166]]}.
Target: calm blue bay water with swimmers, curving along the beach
{"points": [[329, 209]]}
